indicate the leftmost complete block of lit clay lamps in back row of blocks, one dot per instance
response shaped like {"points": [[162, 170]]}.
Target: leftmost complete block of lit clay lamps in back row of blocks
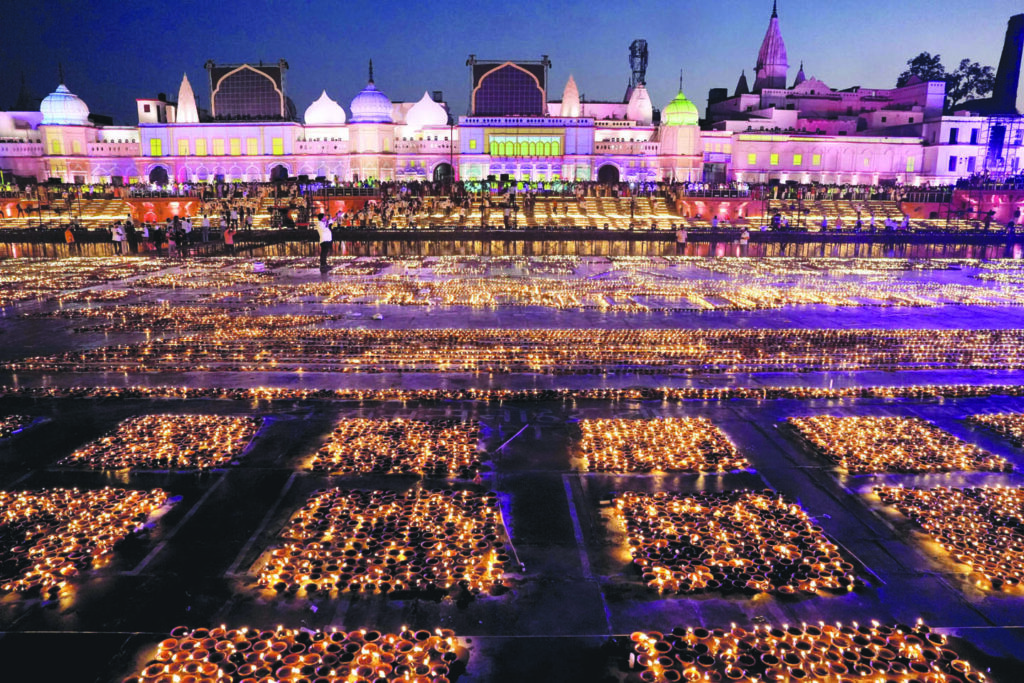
{"points": [[168, 442]]}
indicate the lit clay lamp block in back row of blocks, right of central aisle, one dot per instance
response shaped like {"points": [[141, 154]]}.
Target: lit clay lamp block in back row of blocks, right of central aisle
{"points": [[671, 445]]}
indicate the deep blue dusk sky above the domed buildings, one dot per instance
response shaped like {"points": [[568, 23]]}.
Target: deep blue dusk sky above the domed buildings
{"points": [[114, 53]]}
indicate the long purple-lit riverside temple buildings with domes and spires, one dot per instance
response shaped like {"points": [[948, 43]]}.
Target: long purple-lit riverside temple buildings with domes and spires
{"points": [[781, 127]]}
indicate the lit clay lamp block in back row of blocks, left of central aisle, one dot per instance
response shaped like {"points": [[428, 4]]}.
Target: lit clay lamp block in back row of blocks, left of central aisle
{"points": [[425, 448]]}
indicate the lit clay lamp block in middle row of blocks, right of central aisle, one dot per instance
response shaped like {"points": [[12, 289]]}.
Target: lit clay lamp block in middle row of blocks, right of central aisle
{"points": [[736, 542]]}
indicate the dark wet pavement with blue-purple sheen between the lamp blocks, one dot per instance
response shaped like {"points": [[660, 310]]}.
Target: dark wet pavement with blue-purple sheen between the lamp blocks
{"points": [[572, 592]]}
